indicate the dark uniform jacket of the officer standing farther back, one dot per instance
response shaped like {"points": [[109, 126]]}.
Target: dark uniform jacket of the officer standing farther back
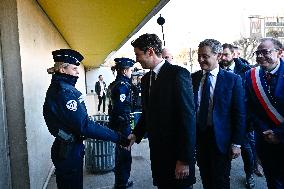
{"points": [[121, 104]]}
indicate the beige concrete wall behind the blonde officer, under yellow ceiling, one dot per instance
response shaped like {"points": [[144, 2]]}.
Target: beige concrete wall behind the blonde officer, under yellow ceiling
{"points": [[38, 38]]}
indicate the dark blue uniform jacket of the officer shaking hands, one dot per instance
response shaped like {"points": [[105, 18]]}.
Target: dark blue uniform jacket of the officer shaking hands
{"points": [[64, 108]]}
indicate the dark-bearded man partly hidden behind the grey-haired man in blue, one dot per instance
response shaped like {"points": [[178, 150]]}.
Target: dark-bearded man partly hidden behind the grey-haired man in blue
{"points": [[235, 65]]}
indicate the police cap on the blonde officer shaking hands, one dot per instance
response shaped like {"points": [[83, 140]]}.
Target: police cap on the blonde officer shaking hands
{"points": [[68, 56]]}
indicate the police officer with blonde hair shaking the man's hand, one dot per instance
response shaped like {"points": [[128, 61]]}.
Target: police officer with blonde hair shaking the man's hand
{"points": [[66, 117]]}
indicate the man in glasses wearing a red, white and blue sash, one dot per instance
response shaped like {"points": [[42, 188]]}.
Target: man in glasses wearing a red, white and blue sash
{"points": [[265, 97]]}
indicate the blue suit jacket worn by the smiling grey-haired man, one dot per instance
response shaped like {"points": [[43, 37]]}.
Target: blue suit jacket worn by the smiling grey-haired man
{"points": [[229, 112]]}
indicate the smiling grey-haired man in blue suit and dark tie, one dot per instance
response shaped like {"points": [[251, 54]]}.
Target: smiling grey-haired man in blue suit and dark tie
{"points": [[220, 109]]}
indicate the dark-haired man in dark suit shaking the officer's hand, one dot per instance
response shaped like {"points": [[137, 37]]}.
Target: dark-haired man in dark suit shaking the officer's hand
{"points": [[168, 116]]}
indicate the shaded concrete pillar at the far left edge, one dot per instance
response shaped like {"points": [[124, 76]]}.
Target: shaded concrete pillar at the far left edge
{"points": [[13, 107]]}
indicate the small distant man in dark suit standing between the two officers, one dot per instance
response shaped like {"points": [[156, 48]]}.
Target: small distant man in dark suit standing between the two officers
{"points": [[100, 89]]}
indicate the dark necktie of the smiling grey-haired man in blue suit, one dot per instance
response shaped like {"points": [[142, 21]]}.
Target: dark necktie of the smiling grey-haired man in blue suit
{"points": [[204, 102]]}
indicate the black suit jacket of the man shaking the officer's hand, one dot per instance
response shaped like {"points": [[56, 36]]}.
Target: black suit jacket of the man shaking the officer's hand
{"points": [[169, 119]]}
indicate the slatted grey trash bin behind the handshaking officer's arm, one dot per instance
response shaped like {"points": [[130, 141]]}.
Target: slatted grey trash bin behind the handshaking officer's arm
{"points": [[100, 155]]}
